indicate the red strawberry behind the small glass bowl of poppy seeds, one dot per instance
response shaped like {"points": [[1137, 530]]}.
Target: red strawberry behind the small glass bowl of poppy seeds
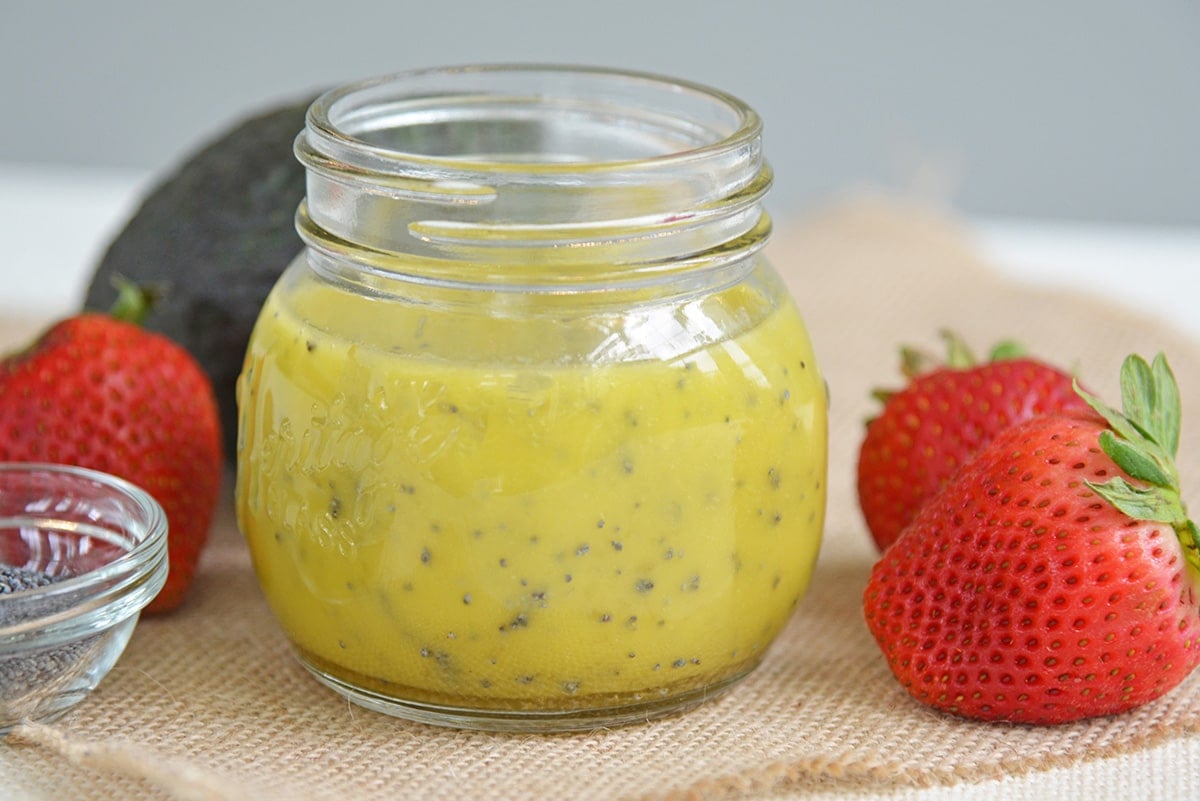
{"points": [[101, 393]]}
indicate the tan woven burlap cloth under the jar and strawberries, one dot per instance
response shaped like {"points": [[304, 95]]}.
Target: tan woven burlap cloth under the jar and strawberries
{"points": [[209, 703]]}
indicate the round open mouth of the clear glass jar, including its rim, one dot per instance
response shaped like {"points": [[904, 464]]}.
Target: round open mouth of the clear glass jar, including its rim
{"points": [[551, 121]]}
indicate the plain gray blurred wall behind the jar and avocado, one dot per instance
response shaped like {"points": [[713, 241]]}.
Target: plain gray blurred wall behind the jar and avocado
{"points": [[1065, 111]]}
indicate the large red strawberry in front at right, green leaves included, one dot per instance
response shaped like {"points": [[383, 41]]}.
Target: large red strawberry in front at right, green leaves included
{"points": [[1057, 577]]}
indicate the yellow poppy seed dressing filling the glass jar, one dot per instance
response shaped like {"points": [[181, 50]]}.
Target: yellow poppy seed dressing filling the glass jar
{"points": [[446, 509]]}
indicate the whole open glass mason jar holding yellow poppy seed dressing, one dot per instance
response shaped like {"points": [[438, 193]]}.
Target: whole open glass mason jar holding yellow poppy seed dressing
{"points": [[532, 437]]}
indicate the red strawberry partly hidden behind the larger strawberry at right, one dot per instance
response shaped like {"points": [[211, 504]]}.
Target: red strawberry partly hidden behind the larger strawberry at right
{"points": [[940, 420]]}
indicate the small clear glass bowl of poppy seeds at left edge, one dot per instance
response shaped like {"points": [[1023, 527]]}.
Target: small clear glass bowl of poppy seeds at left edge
{"points": [[103, 543]]}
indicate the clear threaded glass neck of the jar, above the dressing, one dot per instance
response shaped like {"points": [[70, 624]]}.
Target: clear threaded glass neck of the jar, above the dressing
{"points": [[530, 177]]}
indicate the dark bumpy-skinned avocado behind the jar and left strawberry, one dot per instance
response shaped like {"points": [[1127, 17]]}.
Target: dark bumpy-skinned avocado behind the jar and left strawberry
{"points": [[215, 236]]}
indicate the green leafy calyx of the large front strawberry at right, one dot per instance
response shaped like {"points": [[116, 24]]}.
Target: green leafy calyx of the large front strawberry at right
{"points": [[1143, 439]]}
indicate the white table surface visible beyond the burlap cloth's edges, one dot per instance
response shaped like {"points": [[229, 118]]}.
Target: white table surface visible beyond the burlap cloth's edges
{"points": [[56, 222]]}
